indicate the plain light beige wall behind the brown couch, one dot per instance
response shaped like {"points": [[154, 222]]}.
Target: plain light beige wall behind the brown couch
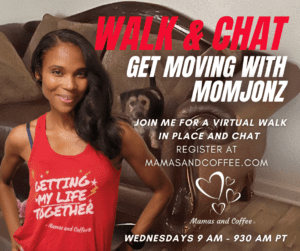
{"points": [[281, 180]]}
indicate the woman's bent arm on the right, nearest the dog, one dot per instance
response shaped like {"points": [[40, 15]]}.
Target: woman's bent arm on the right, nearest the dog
{"points": [[135, 152]]}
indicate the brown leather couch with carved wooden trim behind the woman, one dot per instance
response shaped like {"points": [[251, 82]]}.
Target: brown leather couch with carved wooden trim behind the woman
{"points": [[188, 202]]}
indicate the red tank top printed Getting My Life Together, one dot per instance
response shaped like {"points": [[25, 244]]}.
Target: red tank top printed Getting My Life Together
{"points": [[72, 201]]}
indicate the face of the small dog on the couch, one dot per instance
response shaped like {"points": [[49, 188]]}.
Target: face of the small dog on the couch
{"points": [[137, 107]]}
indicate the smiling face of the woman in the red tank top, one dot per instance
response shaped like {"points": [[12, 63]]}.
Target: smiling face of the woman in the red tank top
{"points": [[64, 77]]}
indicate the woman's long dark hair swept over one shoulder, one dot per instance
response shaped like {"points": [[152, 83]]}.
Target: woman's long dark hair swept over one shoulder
{"points": [[94, 122]]}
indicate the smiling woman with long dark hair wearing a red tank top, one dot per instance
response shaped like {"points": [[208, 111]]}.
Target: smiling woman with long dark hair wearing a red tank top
{"points": [[76, 155]]}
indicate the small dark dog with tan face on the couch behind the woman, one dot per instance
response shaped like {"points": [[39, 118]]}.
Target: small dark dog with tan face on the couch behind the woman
{"points": [[146, 103]]}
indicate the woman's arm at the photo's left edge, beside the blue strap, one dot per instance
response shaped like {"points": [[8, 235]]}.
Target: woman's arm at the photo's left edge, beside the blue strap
{"points": [[14, 146]]}
